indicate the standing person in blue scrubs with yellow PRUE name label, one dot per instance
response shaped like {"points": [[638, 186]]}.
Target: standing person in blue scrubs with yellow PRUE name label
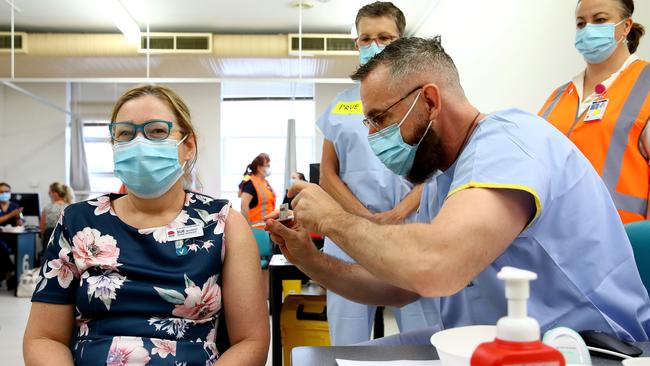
{"points": [[360, 183]]}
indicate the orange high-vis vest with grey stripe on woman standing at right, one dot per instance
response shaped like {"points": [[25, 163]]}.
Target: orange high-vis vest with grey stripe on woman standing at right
{"points": [[612, 143]]}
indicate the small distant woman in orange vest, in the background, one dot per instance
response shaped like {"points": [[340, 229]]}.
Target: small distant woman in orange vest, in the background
{"points": [[257, 197]]}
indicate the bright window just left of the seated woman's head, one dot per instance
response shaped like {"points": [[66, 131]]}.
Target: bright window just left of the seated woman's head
{"points": [[99, 157]]}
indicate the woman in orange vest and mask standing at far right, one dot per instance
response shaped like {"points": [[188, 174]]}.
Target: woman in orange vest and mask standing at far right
{"points": [[605, 109]]}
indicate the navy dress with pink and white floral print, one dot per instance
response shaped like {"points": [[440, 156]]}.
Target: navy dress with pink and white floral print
{"points": [[140, 296]]}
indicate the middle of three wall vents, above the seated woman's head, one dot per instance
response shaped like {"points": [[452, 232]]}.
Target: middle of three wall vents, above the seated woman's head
{"points": [[177, 43]]}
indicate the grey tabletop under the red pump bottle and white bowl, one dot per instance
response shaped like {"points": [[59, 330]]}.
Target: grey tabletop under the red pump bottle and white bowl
{"points": [[326, 356]]}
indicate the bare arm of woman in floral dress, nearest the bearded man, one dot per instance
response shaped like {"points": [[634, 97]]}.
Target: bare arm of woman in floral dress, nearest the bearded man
{"points": [[243, 292]]}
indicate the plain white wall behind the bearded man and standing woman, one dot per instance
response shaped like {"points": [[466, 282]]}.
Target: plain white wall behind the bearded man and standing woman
{"points": [[514, 53]]}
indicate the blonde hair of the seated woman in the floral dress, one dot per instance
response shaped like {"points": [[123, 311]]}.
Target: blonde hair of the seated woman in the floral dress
{"points": [[181, 112]]}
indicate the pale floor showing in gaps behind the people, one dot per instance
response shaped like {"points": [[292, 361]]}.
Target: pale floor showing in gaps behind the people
{"points": [[13, 317]]}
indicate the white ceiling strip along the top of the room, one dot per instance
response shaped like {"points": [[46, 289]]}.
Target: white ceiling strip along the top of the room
{"points": [[214, 16]]}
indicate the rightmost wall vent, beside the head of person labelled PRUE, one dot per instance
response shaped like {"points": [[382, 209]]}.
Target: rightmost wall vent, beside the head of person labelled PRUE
{"points": [[323, 44]]}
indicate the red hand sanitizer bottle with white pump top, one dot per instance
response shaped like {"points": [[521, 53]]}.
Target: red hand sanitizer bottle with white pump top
{"points": [[518, 336]]}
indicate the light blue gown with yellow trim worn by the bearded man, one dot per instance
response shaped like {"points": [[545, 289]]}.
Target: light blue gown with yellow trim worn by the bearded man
{"points": [[576, 243]]}
